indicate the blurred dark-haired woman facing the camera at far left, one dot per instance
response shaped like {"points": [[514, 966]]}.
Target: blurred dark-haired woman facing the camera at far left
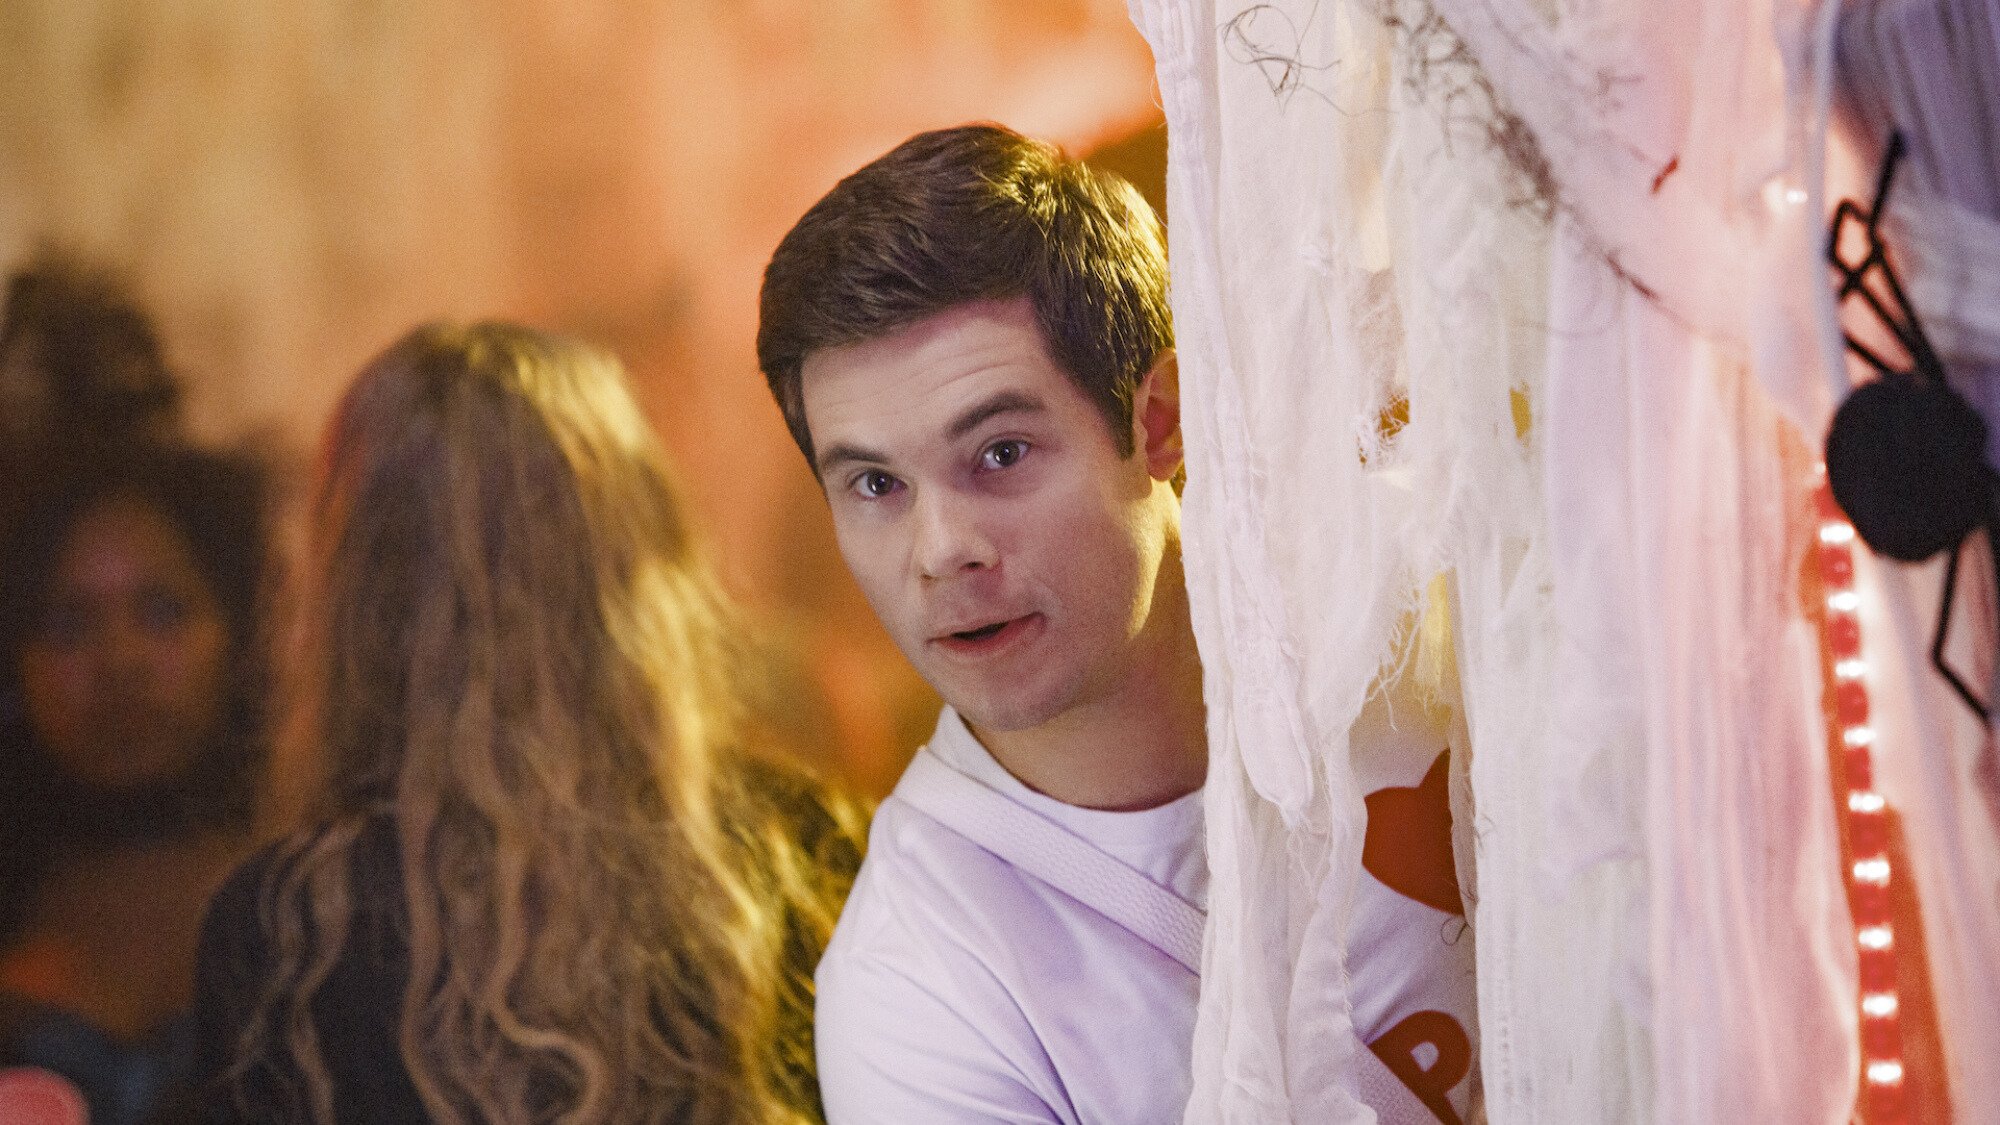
{"points": [[131, 700]]}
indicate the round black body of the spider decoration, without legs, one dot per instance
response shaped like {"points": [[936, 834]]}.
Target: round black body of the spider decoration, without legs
{"points": [[1907, 461]]}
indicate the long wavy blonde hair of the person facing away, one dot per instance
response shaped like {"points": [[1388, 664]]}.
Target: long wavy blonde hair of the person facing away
{"points": [[517, 658]]}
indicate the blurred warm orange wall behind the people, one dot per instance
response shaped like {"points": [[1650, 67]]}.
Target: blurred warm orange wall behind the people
{"points": [[293, 185]]}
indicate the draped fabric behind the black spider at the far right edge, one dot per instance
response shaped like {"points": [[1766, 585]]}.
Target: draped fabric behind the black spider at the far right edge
{"points": [[1933, 71]]}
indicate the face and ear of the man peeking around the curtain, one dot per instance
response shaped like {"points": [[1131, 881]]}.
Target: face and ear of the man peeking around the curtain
{"points": [[985, 509]]}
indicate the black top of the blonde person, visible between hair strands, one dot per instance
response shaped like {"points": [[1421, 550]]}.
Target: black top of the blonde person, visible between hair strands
{"points": [[357, 1012]]}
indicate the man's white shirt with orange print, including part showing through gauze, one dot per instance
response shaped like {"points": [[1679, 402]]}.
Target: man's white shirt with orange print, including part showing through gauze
{"points": [[963, 990]]}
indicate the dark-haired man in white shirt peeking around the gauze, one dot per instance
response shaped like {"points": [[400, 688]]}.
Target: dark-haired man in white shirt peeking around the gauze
{"points": [[971, 345]]}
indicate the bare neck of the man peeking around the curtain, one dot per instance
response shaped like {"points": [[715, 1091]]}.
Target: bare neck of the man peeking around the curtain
{"points": [[1141, 746]]}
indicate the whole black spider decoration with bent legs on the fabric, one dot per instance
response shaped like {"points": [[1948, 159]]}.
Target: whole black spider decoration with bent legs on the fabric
{"points": [[1907, 455]]}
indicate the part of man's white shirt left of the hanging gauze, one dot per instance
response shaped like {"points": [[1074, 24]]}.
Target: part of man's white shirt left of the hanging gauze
{"points": [[961, 990]]}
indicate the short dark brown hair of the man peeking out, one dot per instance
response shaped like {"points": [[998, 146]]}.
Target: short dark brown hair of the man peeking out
{"points": [[973, 213]]}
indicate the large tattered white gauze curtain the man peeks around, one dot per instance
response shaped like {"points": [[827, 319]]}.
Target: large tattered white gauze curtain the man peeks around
{"points": [[1575, 245]]}
